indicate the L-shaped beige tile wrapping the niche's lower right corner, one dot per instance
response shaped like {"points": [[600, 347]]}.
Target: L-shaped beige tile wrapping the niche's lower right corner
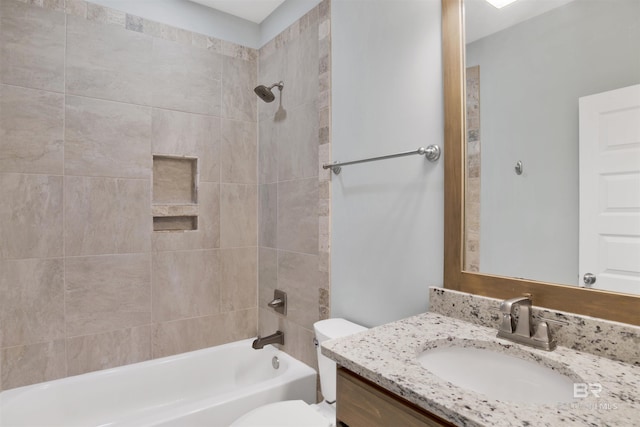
{"points": [[207, 236]]}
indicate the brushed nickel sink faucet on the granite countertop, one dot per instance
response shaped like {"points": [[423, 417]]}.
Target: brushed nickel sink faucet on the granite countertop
{"points": [[522, 331]]}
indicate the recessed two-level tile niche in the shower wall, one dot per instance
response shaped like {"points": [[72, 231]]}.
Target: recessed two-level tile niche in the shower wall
{"points": [[175, 193]]}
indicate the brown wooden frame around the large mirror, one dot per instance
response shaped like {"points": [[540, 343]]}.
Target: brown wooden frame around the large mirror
{"points": [[607, 305]]}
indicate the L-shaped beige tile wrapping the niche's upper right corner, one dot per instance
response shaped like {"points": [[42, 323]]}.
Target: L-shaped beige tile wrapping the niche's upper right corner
{"points": [[186, 134]]}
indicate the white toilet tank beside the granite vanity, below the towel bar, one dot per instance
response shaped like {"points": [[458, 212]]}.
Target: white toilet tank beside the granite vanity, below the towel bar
{"points": [[327, 330]]}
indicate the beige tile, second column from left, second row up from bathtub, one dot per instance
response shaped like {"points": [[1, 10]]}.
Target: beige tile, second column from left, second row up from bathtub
{"points": [[107, 293]]}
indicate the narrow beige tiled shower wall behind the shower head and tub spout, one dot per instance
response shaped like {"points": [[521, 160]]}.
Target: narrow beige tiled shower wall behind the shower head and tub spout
{"points": [[294, 191]]}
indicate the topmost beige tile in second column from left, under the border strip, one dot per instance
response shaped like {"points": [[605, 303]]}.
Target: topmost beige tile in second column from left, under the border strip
{"points": [[108, 62]]}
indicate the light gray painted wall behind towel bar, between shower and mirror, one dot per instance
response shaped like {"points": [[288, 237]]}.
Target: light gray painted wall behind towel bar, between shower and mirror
{"points": [[387, 216]]}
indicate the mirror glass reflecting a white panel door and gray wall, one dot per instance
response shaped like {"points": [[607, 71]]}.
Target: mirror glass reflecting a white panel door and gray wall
{"points": [[528, 74]]}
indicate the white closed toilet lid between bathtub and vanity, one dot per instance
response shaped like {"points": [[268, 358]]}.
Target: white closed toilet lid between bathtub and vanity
{"points": [[290, 413]]}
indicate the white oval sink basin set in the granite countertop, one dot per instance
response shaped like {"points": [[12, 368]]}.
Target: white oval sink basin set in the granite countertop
{"points": [[498, 375]]}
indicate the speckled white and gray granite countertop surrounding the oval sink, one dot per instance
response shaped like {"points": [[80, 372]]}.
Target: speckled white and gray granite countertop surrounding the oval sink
{"points": [[386, 355]]}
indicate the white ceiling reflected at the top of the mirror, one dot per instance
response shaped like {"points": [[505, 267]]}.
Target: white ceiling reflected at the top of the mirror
{"points": [[482, 19]]}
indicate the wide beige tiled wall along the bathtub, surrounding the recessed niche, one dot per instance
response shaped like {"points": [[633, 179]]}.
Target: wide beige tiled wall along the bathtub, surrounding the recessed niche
{"points": [[87, 95]]}
